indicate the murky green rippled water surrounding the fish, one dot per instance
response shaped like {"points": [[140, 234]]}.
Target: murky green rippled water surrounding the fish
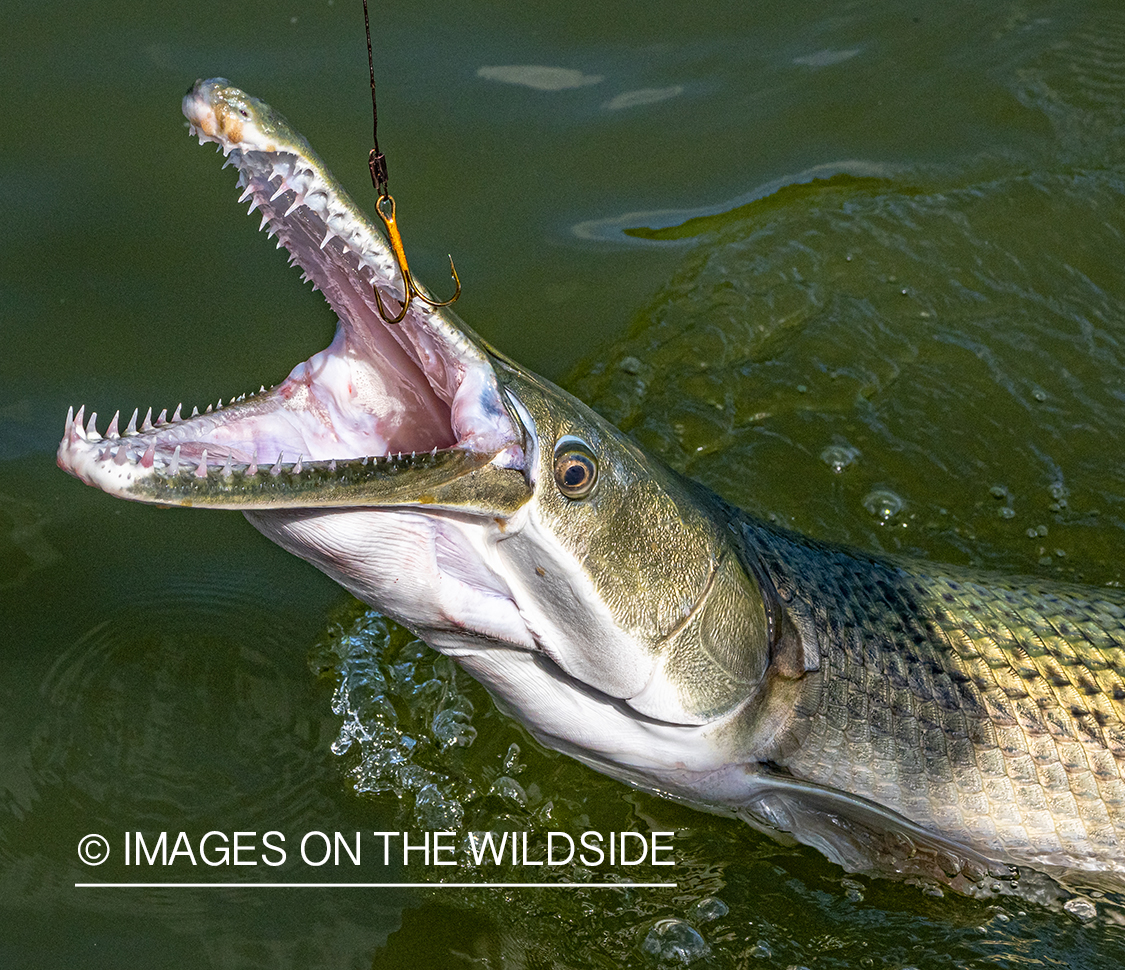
{"points": [[857, 266]]}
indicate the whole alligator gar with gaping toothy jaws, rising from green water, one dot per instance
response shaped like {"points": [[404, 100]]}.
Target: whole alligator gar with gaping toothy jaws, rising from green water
{"points": [[903, 717]]}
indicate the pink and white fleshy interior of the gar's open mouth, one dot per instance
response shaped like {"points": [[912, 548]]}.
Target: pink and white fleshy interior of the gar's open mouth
{"points": [[377, 390]]}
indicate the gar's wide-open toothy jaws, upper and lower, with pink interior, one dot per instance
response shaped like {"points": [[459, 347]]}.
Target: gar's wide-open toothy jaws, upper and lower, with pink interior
{"points": [[382, 399]]}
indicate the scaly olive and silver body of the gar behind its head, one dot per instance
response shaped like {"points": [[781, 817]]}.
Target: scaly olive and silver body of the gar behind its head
{"points": [[986, 709]]}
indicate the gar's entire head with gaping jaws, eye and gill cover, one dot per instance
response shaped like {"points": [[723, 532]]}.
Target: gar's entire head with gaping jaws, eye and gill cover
{"points": [[494, 515]]}
